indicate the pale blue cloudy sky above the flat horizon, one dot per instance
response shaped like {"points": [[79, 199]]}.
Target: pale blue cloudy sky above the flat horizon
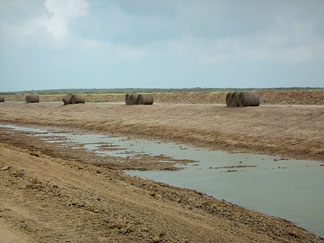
{"points": [[58, 44]]}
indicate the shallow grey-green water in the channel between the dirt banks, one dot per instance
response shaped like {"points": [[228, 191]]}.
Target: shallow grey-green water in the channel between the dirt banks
{"points": [[290, 189]]}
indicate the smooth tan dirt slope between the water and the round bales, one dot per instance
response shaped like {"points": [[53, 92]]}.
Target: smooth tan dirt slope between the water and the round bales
{"points": [[288, 130]]}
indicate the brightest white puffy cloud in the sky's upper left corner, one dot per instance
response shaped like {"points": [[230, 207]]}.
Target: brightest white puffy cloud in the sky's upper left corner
{"points": [[53, 16]]}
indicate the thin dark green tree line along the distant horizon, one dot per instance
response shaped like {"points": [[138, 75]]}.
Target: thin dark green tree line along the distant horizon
{"points": [[148, 90]]}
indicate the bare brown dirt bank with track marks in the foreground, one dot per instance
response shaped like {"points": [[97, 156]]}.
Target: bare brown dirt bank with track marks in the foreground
{"points": [[45, 198]]}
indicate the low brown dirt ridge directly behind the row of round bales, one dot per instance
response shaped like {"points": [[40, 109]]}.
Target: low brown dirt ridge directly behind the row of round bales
{"points": [[301, 97]]}
